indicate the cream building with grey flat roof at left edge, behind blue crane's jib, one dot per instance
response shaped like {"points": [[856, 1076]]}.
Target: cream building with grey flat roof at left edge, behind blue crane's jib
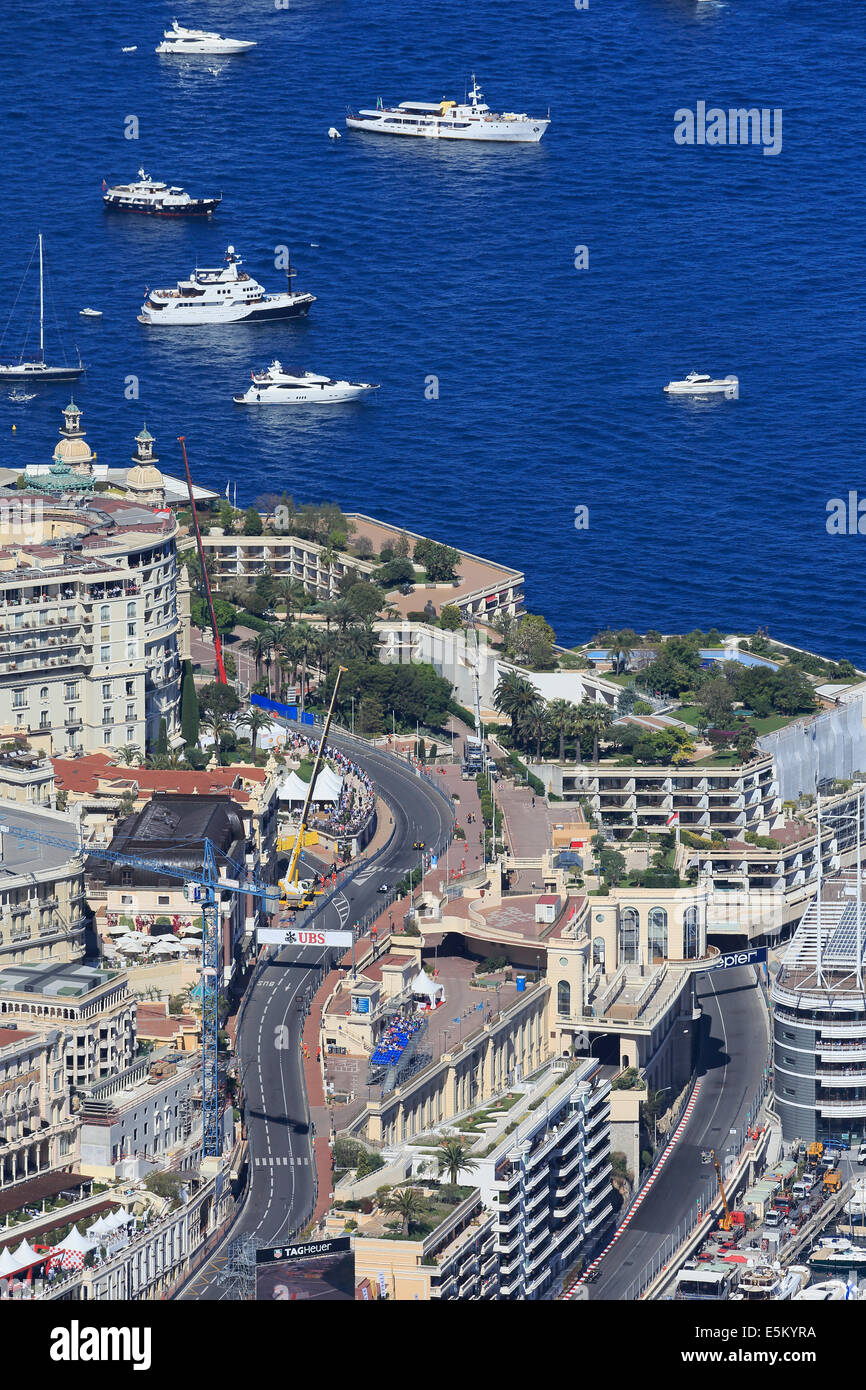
{"points": [[44, 911]]}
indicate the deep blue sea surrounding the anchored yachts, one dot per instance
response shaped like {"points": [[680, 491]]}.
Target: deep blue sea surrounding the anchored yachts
{"points": [[458, 262]]}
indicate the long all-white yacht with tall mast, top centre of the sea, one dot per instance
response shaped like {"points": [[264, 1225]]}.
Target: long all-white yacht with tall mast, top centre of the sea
{"points": [[469, 120]]}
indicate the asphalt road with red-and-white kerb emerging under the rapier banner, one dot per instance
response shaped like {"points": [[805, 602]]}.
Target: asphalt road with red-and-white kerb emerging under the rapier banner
{"points": [[732, 1060]]}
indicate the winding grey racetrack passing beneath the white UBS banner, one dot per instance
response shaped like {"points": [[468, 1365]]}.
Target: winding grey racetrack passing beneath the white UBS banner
{"points": [[281, 1171]]}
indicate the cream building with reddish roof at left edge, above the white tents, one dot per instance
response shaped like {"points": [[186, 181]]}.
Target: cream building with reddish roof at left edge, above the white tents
{"points": [[37, 1127]]}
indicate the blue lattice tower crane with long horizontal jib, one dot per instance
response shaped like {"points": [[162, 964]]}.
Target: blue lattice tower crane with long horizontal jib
{"points": [[201, 889]]}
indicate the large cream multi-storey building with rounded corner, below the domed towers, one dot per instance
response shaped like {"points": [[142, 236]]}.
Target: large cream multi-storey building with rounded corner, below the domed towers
{"points": [[94, 623]]}
